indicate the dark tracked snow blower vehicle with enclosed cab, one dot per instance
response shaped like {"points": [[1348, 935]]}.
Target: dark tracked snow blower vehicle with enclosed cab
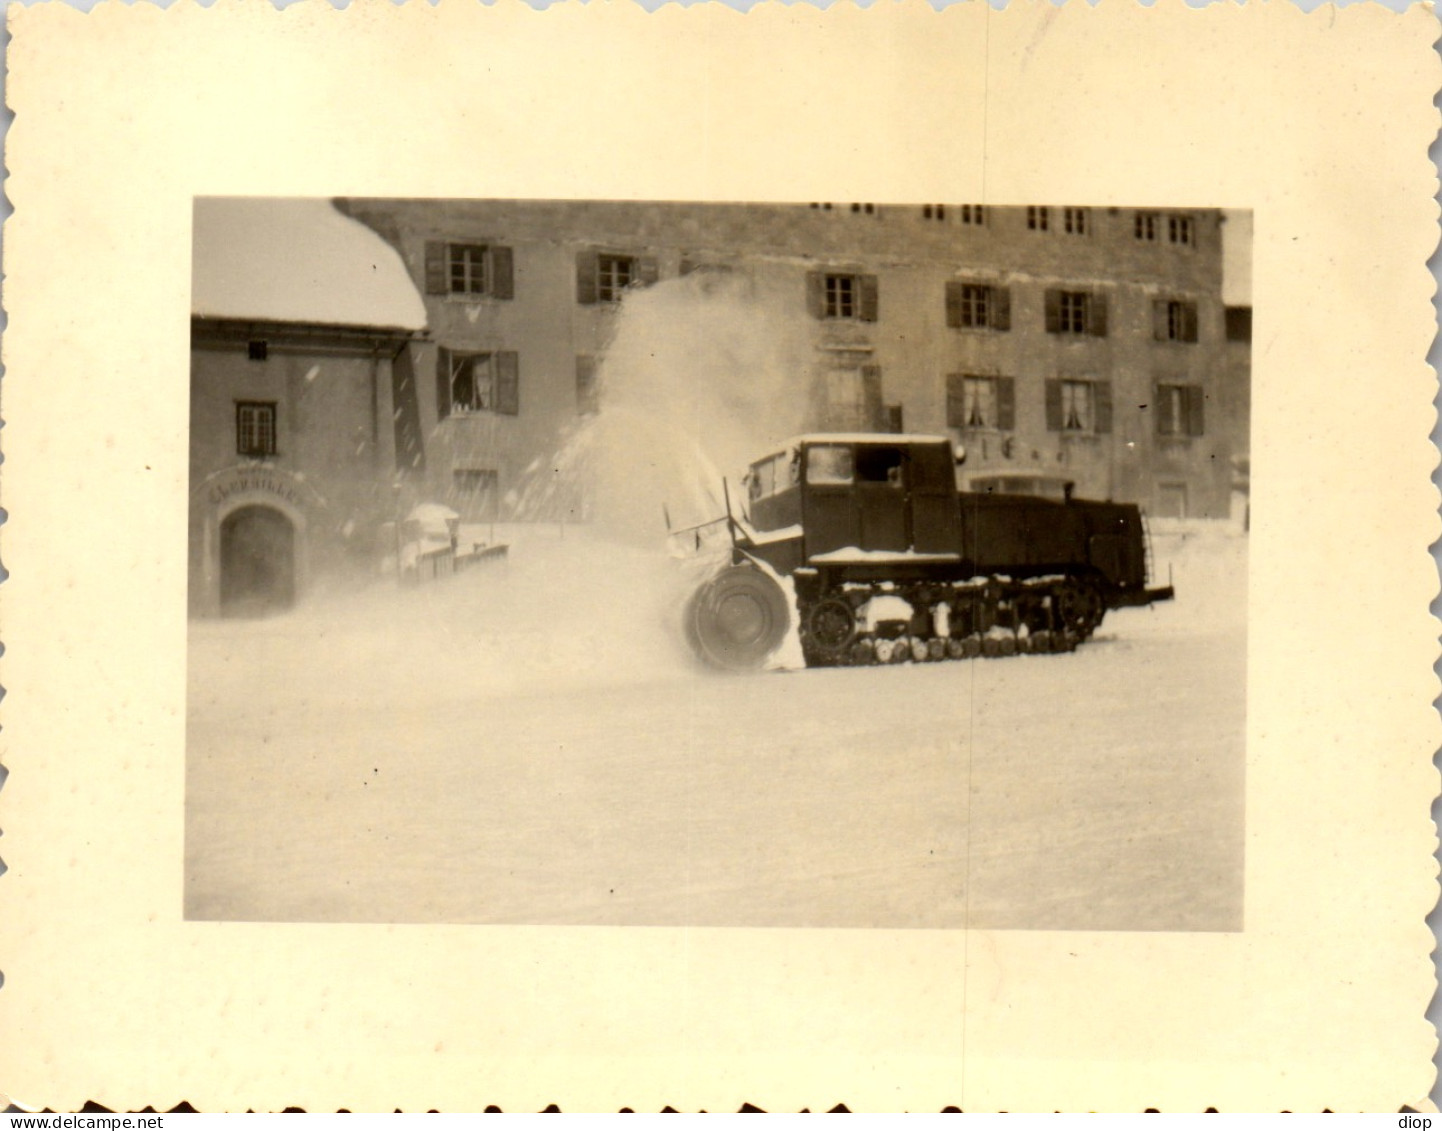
{"points": [[890, 563]]}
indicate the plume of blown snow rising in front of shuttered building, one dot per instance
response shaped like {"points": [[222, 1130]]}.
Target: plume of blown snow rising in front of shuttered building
{"points": [[703, 374]]}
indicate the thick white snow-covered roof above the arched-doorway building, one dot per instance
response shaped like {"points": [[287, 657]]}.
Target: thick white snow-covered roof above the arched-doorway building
{"points": [[296, 260]]}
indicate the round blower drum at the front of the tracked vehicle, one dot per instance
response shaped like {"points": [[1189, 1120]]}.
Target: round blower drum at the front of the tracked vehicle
{"points": [[738, 620]]}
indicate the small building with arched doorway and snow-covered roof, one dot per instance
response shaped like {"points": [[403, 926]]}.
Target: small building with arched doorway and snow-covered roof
{"points": [[302, 400]]}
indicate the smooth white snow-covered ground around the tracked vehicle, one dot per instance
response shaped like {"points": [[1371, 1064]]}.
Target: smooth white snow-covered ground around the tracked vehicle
{"points": [[528, 744]]}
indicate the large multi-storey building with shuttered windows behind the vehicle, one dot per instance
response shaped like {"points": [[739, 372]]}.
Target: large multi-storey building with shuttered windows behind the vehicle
{"points": [[1085, 344]]}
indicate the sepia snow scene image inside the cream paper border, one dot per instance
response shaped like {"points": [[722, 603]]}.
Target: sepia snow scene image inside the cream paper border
{"points": [[821, 565]]}
